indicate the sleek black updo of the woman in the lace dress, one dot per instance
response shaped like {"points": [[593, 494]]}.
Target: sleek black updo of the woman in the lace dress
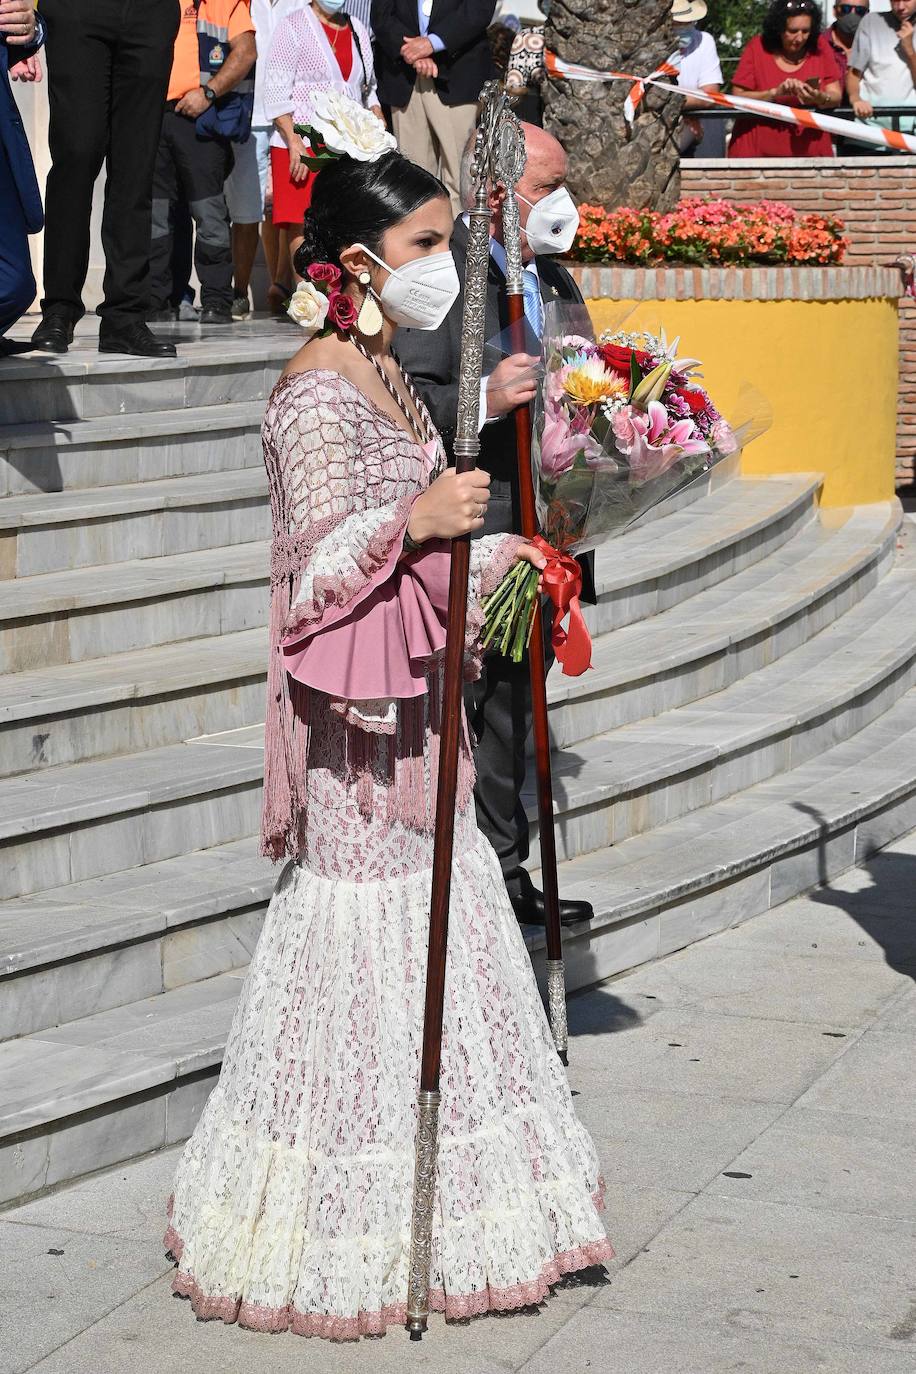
{"points": [[356, 203]]}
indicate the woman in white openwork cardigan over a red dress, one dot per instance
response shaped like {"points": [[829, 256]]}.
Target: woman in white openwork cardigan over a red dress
{"points": [[317, 47]]}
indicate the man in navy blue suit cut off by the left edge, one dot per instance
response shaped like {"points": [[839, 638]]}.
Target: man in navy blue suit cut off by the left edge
{"points": [[21, 215]]}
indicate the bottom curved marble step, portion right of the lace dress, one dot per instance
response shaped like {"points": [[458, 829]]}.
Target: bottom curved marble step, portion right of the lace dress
{"points": [[731, 861]]}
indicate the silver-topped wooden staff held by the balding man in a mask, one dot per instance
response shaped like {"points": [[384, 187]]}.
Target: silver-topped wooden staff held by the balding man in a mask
{"points": [[514, 141]]}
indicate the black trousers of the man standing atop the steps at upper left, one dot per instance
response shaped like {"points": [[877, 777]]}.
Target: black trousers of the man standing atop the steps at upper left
{"points": [[109, 64]]}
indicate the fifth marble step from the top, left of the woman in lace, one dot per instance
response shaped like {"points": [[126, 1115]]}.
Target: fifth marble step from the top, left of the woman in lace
{"points": [[141, 700]]}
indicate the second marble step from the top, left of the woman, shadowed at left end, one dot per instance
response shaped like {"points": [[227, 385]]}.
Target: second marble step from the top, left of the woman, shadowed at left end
{"points": [[115, 450]]}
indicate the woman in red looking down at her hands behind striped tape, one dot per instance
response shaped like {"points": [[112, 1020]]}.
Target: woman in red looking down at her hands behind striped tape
{"points": [[790, 64]]}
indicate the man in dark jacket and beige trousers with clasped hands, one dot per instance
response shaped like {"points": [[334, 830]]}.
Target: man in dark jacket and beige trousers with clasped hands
{"points": [[432, 60]]}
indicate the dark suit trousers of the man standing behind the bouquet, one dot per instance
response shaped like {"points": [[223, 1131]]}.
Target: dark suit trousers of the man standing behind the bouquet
{"points": [[499, 712]]}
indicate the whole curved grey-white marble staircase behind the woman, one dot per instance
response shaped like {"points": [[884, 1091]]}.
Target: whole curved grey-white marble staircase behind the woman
{"points": [[748, 732]]}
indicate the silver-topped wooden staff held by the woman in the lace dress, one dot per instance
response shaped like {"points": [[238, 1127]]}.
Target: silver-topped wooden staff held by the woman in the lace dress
{"points": [[466, 450]]}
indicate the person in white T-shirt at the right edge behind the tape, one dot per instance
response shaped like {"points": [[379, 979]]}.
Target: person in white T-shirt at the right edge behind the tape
{"points": [[882, 64]]}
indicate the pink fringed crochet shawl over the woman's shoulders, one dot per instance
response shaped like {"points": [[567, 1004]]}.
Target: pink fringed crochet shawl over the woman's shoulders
{"points": [[343, 477]]}
